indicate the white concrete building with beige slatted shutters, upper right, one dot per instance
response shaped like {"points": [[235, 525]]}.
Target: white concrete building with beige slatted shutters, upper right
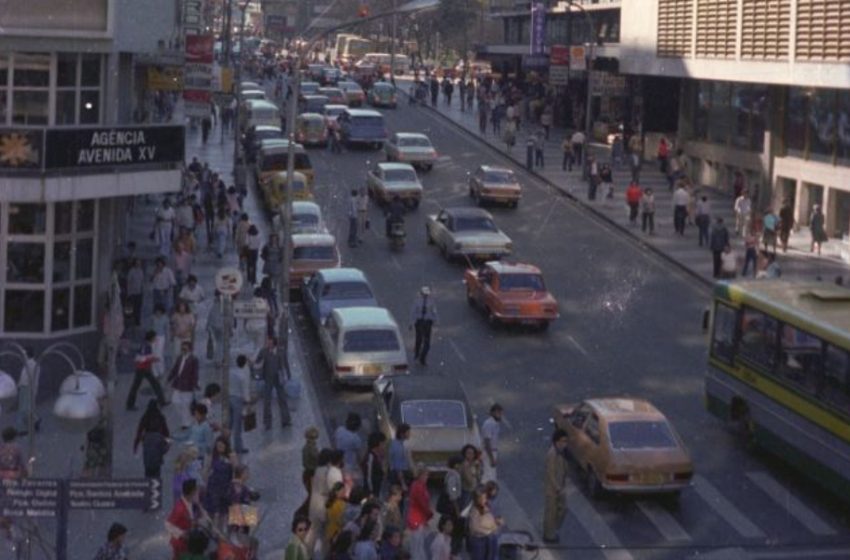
{"points": [[765, 92]]}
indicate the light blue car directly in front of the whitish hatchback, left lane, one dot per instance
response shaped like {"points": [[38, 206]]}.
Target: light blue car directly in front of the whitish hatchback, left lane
{"points": [[332, 288]]}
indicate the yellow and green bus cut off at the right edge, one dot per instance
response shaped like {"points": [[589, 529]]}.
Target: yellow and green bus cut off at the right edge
{"points": [[779, 372]]}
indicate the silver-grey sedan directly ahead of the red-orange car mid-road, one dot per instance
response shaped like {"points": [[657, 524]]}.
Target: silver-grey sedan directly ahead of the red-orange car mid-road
{"points": [[470, 232]]}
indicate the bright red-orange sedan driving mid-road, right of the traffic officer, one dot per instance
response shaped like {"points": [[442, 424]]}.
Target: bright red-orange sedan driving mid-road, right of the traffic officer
{"points": [[511, 293]]}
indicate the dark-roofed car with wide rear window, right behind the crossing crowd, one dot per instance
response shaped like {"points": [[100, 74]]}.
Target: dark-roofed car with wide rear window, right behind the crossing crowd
{"points": [[436, 408]]}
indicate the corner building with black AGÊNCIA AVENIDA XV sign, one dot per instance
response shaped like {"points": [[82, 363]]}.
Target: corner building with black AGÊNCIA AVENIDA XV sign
{"points": [[70, 158]]}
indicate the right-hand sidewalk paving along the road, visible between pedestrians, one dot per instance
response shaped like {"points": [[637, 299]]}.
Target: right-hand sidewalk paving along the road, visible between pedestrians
{"points": [[797, 263]]}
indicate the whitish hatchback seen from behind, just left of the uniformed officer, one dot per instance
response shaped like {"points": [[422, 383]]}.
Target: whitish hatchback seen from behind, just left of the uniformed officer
{"points": [[362, 343]]}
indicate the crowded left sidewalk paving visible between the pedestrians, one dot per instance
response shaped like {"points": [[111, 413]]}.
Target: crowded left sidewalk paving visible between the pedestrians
{"points": [[274, 457]]}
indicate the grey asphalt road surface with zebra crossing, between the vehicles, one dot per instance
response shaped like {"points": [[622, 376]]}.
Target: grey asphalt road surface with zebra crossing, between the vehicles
{"points": [[630, 325]]}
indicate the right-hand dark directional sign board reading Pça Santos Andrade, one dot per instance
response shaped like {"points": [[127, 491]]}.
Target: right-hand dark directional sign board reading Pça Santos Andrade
{"points": [[129, 493]]}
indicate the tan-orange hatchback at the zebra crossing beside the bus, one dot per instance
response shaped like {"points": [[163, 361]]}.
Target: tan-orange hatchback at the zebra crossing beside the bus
{"points": [[625, 446]]}
